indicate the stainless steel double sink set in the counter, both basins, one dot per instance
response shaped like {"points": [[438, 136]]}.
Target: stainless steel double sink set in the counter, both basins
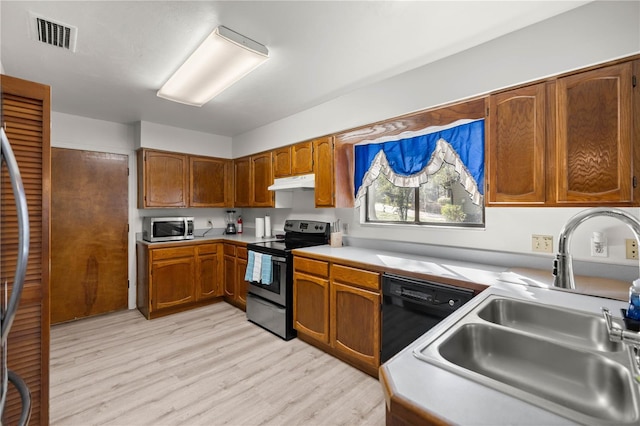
{"points": [[558, 359]]}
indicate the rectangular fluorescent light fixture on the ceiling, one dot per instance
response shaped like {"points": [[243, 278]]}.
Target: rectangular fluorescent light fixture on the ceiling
{"points": [[223, 58]]}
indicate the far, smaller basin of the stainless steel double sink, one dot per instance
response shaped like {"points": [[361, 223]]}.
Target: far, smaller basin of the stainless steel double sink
{"points": [[573, 327]]}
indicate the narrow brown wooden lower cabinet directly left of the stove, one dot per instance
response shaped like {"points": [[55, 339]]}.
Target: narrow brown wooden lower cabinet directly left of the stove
{"points": [[235, 266]]}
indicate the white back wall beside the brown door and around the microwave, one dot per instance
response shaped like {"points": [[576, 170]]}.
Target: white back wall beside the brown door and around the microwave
{"points": [[74, 132]]}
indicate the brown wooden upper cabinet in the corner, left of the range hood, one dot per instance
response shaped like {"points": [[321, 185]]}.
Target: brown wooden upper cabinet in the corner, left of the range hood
{"points": [[253, 175]]}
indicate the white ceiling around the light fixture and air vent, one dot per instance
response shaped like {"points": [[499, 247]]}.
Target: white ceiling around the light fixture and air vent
{"points": [[319, 50]]}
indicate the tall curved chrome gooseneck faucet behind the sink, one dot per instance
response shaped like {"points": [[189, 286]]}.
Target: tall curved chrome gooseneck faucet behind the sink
{"points": [[562, 265]]}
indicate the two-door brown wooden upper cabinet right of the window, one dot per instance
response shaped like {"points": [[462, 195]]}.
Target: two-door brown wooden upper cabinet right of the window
{"points": [[566, 141]]}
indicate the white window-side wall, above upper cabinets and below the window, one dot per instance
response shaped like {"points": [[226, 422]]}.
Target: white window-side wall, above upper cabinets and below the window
{"points": [[594, 33]]}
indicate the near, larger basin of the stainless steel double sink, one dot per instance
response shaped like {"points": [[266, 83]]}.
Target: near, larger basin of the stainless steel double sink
{"points": [[581, 381]]}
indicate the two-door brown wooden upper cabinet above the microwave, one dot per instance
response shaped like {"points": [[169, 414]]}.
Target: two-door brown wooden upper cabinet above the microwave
{"points": [[169, 179]]}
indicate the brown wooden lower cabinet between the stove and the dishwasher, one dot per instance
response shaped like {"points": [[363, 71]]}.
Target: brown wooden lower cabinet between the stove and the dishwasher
{"points": [[337, 308]]}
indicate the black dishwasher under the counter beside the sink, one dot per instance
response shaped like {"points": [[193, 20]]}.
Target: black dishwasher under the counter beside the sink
{"points": [[410, 307]]}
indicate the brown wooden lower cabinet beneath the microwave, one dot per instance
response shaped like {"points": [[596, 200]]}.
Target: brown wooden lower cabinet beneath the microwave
{"points": [[179, 276]]}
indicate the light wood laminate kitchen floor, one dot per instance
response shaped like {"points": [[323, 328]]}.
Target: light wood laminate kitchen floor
{"points": [[208, 366]]}
